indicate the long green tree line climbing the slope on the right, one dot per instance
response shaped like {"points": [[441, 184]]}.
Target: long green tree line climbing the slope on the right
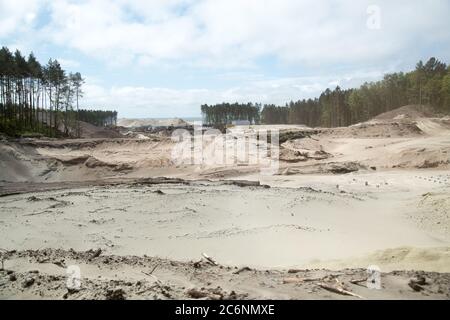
{"points": [[428, 84]]}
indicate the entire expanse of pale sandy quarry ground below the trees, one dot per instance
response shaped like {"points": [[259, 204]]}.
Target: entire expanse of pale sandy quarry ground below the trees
{"points": [[376, 193]]}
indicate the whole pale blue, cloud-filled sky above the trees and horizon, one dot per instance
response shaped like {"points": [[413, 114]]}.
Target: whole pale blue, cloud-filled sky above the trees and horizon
{"points": [[164, 58]]}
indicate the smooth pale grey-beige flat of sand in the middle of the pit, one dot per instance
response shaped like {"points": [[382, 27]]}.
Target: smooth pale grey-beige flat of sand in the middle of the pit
{"points": [[281, 226]]}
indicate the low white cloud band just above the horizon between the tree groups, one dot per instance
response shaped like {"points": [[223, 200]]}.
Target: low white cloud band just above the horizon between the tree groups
{"points": [[144, 102]]}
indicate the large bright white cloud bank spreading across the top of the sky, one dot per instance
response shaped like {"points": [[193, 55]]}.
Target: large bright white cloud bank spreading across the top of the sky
{"points": [[235, 32]]}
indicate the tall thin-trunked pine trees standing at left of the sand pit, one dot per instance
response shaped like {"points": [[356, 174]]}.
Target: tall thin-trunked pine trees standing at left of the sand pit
{"points": [[42, 98]]}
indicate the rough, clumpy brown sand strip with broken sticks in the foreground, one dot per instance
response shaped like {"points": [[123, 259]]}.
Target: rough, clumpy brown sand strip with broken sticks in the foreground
{"points": [[41, 274]]}
